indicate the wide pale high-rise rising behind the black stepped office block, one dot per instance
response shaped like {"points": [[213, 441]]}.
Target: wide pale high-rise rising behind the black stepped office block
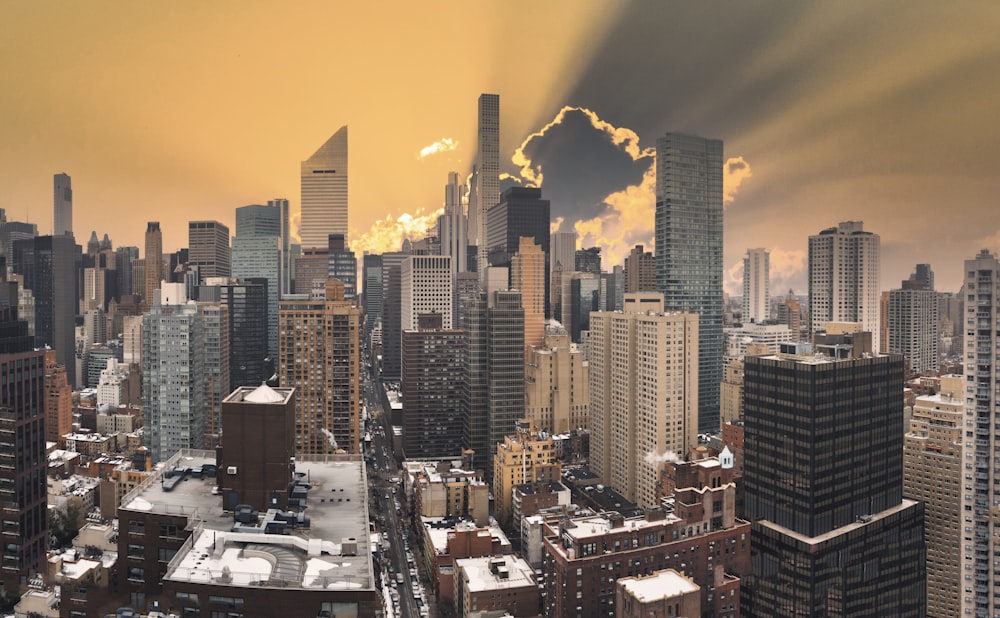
{"points": [[844, 277]]}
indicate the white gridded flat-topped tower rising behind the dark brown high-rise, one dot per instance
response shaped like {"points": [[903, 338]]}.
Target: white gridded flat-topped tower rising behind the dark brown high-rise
{"points": [[426, 286]]}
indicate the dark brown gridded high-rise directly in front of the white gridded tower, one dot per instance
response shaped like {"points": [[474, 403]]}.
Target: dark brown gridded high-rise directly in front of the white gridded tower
{"points": [[433, 371]]}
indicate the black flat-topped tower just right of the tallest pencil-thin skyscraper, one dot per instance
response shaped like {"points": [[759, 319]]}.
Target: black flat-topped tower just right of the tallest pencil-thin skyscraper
{"points": [[521, 212]]}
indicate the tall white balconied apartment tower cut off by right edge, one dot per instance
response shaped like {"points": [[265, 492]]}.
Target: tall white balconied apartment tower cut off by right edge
{"points": [[979, 581]]}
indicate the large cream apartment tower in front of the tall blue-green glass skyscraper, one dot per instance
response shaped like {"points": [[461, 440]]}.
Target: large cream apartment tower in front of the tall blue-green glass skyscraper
{"points": [[643, 393]]}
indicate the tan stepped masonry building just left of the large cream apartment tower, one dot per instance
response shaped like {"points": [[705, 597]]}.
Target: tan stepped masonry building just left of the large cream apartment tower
{"points": [[556, 384]]}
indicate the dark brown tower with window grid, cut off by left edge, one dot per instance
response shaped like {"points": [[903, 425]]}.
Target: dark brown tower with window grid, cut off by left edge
{"points": [[22, 454]]}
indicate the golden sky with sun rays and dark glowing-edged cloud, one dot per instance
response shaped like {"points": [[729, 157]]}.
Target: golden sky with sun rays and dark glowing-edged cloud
{"points": [[884, 112]]}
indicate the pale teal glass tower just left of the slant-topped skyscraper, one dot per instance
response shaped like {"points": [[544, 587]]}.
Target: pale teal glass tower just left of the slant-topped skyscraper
{"points": [[257, 255]]}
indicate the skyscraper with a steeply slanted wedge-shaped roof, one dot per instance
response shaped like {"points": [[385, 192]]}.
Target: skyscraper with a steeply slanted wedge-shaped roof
{"points": [[324, 192]]}
